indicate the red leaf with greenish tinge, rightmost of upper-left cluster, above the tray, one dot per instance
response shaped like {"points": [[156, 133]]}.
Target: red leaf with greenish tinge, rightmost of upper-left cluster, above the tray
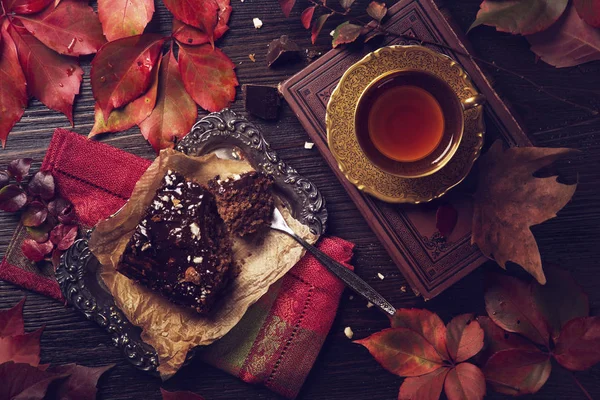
{"points": [[208, 76]]}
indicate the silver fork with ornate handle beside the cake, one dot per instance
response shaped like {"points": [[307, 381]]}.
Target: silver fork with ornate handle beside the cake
{"points": [[347, 276]]}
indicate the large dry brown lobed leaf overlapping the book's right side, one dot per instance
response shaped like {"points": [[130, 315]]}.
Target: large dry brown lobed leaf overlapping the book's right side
{"points": [[509, 200]]}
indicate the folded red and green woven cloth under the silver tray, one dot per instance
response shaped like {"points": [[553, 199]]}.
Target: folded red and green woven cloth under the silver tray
{"points": [[277, 341]]}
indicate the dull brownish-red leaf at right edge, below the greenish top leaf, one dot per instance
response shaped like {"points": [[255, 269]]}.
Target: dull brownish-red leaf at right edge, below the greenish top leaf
{"points": [[571, 33]]}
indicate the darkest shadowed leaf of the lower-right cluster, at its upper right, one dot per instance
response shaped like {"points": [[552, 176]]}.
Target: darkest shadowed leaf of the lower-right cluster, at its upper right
{"points": [[560, 299]]}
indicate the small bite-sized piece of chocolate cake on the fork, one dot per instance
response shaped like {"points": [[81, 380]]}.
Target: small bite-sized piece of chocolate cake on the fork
{"points": [[245, 202]]}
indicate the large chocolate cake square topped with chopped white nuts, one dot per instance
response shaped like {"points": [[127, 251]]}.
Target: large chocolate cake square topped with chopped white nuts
{"points": [[181, 247]]}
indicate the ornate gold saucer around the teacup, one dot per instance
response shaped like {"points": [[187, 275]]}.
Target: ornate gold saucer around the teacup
{"points": [[344, 145]]}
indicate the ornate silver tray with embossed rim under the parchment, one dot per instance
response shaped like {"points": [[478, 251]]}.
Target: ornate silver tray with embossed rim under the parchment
{"points": [[229, 136]]}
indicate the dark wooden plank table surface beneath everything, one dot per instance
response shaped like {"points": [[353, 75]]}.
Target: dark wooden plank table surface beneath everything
{"points": [[343, 370]]}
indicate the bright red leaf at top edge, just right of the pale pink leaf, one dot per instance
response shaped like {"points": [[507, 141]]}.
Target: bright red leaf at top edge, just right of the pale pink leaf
{"points": [[197, 13]]}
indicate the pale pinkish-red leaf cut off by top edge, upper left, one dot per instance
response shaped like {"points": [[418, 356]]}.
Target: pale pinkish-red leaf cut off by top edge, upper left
{"points": [[123, 18]]}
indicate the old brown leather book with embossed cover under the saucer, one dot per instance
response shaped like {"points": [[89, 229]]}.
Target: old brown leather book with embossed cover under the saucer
{"points": [[429, 262]]}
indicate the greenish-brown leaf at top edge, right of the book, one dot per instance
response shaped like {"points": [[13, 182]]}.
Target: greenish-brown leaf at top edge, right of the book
{"points": [[520, 17]]}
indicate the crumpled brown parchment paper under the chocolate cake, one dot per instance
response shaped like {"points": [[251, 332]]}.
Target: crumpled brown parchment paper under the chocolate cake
{"points": [[173, 330]]}
